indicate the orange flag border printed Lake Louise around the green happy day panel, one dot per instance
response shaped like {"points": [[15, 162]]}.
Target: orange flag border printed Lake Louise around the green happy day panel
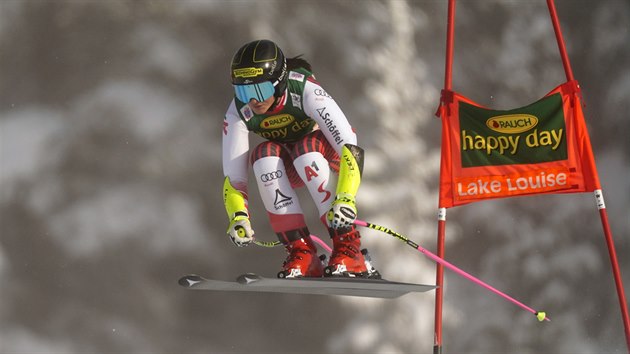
{"points": [[461, 185]]}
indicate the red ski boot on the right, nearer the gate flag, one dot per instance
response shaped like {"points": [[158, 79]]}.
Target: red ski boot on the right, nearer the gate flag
{"points": [[347, 259]]}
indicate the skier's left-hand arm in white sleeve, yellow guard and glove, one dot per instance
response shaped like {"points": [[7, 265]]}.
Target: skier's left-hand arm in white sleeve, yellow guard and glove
{"points": [[235, 168]]}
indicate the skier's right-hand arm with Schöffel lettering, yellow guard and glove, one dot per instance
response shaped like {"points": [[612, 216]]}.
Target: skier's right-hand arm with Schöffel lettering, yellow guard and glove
{"points": [[332, 121]]}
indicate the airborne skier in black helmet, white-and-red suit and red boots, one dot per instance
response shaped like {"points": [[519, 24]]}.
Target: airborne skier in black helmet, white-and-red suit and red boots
{"points": [[308, 142]]}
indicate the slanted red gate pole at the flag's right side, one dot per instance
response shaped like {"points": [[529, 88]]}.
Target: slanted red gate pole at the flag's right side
{"points": [[598, 193]]}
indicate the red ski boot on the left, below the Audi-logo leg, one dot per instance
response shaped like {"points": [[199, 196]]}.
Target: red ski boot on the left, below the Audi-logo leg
{"points": [[302, 260]]}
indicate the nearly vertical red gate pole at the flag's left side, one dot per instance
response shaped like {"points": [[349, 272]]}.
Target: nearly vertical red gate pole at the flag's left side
{"points": [[439, 270]]}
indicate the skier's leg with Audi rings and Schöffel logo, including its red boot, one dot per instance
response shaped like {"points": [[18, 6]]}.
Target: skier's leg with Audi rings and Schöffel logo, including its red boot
{"points": [[283, 209]]}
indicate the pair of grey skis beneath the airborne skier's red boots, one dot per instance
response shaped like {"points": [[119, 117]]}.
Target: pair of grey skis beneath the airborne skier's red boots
{"points": [[363, 287]]}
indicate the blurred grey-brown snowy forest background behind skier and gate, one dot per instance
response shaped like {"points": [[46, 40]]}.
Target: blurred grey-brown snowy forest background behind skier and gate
{"points": [[110, 176]]}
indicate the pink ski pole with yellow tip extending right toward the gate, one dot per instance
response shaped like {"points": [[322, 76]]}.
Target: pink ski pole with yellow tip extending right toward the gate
{"points": [[540, 315]]}
